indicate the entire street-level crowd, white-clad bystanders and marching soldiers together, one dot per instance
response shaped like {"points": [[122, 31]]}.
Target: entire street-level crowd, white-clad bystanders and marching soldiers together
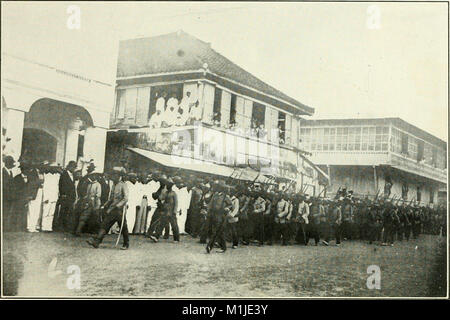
{"points": [[157, 204]]}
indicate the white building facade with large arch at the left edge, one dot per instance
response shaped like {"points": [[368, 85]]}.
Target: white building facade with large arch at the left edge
{"points": [[53, 115]]}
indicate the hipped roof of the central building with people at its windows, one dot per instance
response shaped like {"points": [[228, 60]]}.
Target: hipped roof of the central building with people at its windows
{"points": [[180, 52]]}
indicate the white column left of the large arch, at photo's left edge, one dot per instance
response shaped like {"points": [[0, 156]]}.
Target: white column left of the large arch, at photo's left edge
{"points": [[14, 131]]}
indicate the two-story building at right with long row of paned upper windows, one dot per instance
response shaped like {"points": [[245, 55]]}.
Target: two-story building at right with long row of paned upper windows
{"points": [[387, 156]]}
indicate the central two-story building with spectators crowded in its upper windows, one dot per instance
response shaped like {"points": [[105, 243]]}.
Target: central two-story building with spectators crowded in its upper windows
{"points": [[182, 104]]}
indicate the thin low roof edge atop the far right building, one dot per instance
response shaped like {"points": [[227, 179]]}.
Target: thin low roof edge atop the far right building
{"points": [[397, 122]]}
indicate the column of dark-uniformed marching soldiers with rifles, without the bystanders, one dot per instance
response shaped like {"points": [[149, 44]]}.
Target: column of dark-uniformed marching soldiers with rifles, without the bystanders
{"points": [[243, 213]]}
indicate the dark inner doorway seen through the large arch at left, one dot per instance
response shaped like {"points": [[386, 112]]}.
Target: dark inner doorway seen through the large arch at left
{"points": [[38, 146]]}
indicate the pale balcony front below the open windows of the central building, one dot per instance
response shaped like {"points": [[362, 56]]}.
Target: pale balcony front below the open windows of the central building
{"points": [[233, 148]]}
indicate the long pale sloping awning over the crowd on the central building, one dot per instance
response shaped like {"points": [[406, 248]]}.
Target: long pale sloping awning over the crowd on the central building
{"points": [[186, 163]]}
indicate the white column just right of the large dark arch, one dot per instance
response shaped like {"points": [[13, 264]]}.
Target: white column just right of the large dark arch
{"points": [[95, 146]]}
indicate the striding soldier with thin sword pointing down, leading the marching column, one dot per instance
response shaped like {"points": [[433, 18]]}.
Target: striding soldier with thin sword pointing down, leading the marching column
{"points": [[114, 210]]}
